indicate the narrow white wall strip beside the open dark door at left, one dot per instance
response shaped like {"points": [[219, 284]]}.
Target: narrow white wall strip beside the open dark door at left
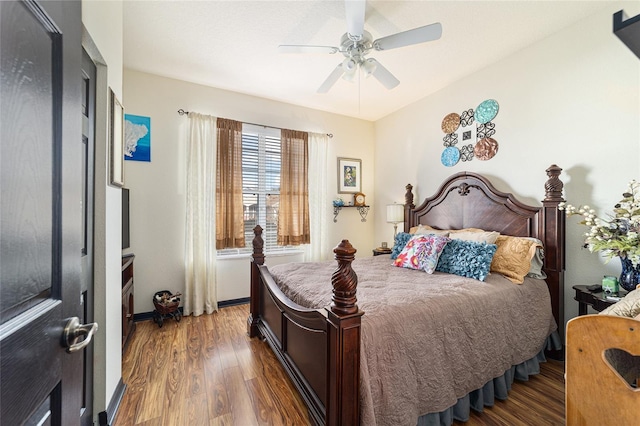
{"points": [[103, 41]]}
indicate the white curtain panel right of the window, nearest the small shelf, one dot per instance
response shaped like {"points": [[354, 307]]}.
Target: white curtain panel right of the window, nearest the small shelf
{"points": [[319, 203]]}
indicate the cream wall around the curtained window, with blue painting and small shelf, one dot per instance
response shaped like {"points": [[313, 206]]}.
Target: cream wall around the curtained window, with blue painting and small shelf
{"points": [[158, 188]]}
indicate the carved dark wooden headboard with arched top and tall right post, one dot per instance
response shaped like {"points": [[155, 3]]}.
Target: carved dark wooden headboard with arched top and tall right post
{"points": [[469, 200]]}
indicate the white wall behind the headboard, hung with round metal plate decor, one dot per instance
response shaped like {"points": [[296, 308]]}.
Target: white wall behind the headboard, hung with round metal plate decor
{"points": [[571, 99]]}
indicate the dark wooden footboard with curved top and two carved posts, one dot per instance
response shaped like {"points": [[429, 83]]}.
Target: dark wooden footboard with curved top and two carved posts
{"points": [[319, 348]]}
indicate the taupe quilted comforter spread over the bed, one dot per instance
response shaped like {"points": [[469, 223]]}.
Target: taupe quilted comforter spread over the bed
{"points": [[428, 340]]}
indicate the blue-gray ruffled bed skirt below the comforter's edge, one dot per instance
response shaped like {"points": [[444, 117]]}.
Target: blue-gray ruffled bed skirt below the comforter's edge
{"points": [[497, 388]]}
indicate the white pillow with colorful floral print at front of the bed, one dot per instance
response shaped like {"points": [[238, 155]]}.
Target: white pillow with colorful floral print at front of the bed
{"points": [[422, 252]]}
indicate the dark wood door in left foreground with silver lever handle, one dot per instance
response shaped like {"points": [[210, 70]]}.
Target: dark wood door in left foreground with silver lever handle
{"points": [[40, 212]]}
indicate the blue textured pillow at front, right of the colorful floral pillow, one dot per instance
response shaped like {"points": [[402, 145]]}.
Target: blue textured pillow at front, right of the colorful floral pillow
{"points": [[467, 259]]}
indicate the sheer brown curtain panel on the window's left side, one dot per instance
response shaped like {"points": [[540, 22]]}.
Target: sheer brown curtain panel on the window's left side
{"points": [[229, 212]]}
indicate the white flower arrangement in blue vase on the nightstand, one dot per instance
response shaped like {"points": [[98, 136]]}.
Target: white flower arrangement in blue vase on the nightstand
{"points": [[618, 234]]}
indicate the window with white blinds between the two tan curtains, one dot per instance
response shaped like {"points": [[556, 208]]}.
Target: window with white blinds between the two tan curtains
{"points": [[260, 187]]}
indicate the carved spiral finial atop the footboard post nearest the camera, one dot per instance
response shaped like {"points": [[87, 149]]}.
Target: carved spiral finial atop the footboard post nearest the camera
{"points": [[344, 280]]}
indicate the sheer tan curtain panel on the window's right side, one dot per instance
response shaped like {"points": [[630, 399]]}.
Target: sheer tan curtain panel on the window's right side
{"points": [[293, 213]]}
